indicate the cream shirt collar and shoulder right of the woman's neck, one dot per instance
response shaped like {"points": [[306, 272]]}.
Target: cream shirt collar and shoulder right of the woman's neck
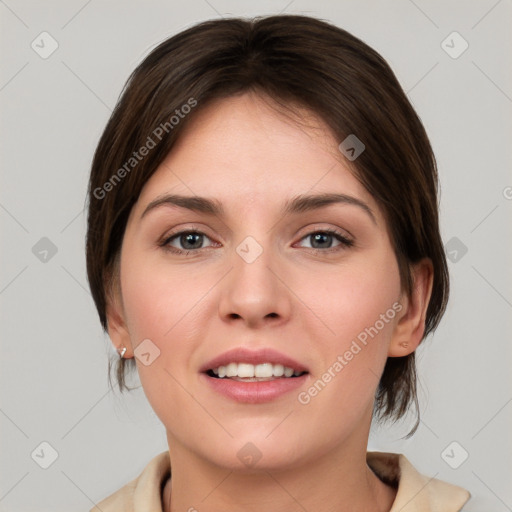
{"points": [[416, 492]]}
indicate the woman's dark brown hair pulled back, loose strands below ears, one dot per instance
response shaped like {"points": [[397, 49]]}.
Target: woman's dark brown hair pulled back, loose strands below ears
{"points": [[296, 60]]}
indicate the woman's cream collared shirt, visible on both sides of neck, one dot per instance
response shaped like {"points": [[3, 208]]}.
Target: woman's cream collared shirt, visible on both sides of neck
{"points": [[415, 491]]}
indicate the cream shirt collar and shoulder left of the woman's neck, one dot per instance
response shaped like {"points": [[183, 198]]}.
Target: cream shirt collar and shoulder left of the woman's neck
{"points": [[142, 493]]}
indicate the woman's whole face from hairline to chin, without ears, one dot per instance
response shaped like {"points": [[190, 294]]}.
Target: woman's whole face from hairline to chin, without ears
{"points": [[287, 282]]}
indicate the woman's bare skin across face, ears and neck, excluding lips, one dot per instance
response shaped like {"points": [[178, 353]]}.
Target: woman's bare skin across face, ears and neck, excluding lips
{"points": [[309, 305]]}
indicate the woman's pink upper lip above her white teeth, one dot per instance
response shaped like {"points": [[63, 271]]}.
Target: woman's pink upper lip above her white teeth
{"points": [[258, 356]]}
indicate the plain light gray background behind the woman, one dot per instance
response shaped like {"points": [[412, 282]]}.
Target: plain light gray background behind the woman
{"points": [[53, 379]]}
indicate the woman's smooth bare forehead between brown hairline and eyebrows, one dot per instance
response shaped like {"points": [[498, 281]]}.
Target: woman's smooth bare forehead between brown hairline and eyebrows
{"points": [[246, 153]]}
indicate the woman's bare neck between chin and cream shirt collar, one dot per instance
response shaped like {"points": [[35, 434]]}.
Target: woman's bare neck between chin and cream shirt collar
{"points": [[341, 477]]}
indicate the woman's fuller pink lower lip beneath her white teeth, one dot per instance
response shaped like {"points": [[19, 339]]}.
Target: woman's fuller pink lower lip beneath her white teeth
{"points": [[254, 392]]}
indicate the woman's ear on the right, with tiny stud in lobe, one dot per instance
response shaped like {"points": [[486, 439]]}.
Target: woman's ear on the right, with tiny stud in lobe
{"points": [[410, 327]]}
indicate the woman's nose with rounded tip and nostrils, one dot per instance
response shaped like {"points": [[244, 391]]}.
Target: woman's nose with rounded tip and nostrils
{"points": [[255, 293]]}
